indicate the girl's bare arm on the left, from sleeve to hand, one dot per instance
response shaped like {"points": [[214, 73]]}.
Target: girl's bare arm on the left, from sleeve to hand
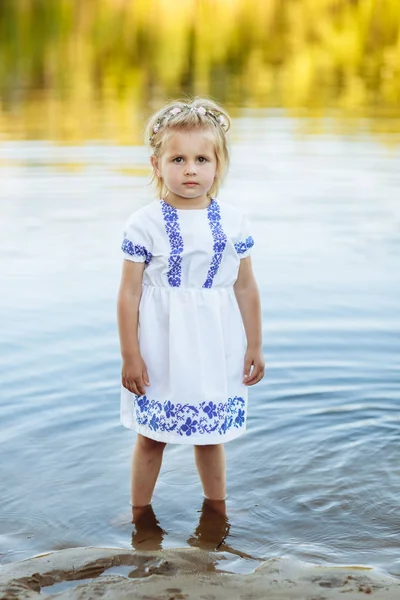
{"points": [[134, 372]]}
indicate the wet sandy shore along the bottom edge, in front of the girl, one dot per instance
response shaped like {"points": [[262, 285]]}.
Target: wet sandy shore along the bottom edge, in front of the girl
{"points": [[88, 573]]}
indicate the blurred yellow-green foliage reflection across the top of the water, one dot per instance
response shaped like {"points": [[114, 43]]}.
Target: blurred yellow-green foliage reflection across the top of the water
{"points": [[73, 70]]}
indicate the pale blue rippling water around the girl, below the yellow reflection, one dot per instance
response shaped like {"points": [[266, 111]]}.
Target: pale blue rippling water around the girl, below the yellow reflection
{"points": [[317, 475]]}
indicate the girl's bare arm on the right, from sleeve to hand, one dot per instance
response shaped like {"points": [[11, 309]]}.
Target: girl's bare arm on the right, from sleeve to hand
{"points": [[248, 299]]}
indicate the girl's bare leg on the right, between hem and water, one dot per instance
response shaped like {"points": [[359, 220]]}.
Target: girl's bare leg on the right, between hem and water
{"points": [[210, 462]]}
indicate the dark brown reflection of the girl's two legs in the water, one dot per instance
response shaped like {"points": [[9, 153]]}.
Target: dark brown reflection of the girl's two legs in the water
{"points": [[210, 534]]}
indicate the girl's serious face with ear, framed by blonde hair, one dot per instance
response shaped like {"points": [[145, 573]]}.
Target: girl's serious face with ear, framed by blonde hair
{"points": [[188, 166]]}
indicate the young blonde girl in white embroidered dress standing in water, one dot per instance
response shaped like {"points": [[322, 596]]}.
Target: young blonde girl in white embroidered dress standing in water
{"points": [[188, 307]]}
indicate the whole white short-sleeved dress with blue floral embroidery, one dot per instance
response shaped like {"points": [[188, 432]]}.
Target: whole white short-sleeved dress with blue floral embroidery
{"points": [[191, 334]]}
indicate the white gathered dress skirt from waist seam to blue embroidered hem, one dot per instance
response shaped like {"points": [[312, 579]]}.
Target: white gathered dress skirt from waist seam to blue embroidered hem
{"points": [[193, 346]]}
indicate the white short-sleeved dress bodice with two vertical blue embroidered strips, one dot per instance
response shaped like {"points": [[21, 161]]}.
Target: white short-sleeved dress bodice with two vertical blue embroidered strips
{"points": [[185, 248]]}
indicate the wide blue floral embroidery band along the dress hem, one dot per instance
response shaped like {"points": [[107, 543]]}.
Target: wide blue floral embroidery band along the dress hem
{"points": [[185, 419]]}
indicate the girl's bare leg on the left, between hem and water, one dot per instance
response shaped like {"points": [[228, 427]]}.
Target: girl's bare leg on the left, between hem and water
{"points": [[146, 464]]}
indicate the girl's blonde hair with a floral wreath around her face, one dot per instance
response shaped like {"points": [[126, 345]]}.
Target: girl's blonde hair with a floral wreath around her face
{"points": [[200, 114]]}
